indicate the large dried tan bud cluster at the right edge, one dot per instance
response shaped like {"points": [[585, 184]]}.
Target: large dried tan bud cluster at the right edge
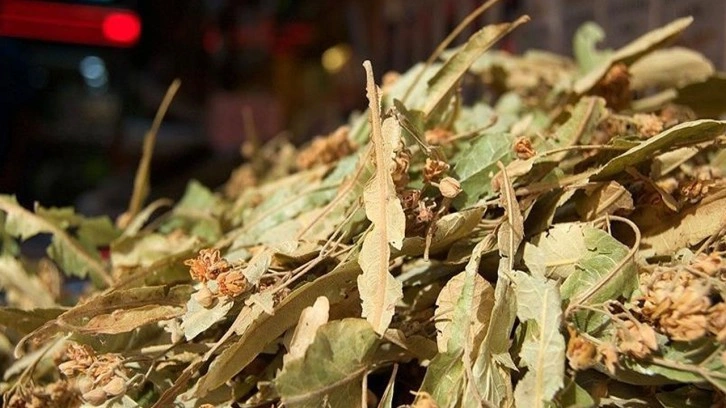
{"points": [[679, 300]]}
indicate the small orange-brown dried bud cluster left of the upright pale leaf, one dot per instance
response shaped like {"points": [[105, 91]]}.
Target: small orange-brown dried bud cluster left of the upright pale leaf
{"points": [[209, 267]]}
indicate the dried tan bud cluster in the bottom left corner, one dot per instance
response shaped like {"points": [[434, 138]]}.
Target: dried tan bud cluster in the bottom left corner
{"points": [[97, 377]]}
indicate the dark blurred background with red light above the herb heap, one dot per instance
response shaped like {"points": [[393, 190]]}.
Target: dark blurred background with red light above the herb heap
{"points": [[80, 81]]}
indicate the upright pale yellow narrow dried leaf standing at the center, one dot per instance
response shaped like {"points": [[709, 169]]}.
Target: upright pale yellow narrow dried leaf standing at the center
{"points": [[379, 290]]}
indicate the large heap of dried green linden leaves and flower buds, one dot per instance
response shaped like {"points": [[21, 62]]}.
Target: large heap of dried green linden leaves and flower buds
{"points": [[496, 230]]}
